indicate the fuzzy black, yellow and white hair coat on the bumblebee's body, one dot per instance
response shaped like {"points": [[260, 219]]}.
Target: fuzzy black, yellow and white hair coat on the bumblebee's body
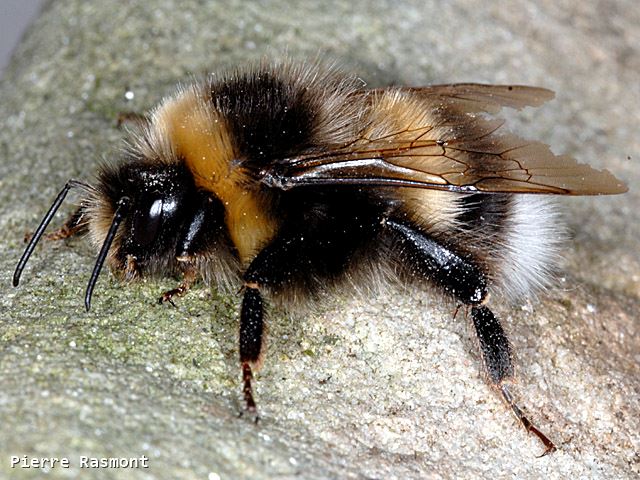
{"points": [[222, 133]]}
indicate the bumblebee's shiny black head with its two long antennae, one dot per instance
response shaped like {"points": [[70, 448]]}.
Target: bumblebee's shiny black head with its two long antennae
{"points": [[144, 217]]}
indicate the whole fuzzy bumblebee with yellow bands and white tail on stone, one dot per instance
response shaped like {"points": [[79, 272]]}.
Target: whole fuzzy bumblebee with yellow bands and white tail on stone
{"points": [[288, 179]]}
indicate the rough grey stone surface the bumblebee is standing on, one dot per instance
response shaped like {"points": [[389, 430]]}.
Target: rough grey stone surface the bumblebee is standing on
{"points": [[386, 387]]}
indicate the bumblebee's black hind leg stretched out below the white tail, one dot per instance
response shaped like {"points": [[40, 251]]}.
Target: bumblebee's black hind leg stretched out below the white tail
{"points": [[462, 278]]}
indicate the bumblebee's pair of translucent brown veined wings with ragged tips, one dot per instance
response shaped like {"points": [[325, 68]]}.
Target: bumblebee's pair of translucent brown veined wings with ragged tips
{"points": [[441, 137]]}
